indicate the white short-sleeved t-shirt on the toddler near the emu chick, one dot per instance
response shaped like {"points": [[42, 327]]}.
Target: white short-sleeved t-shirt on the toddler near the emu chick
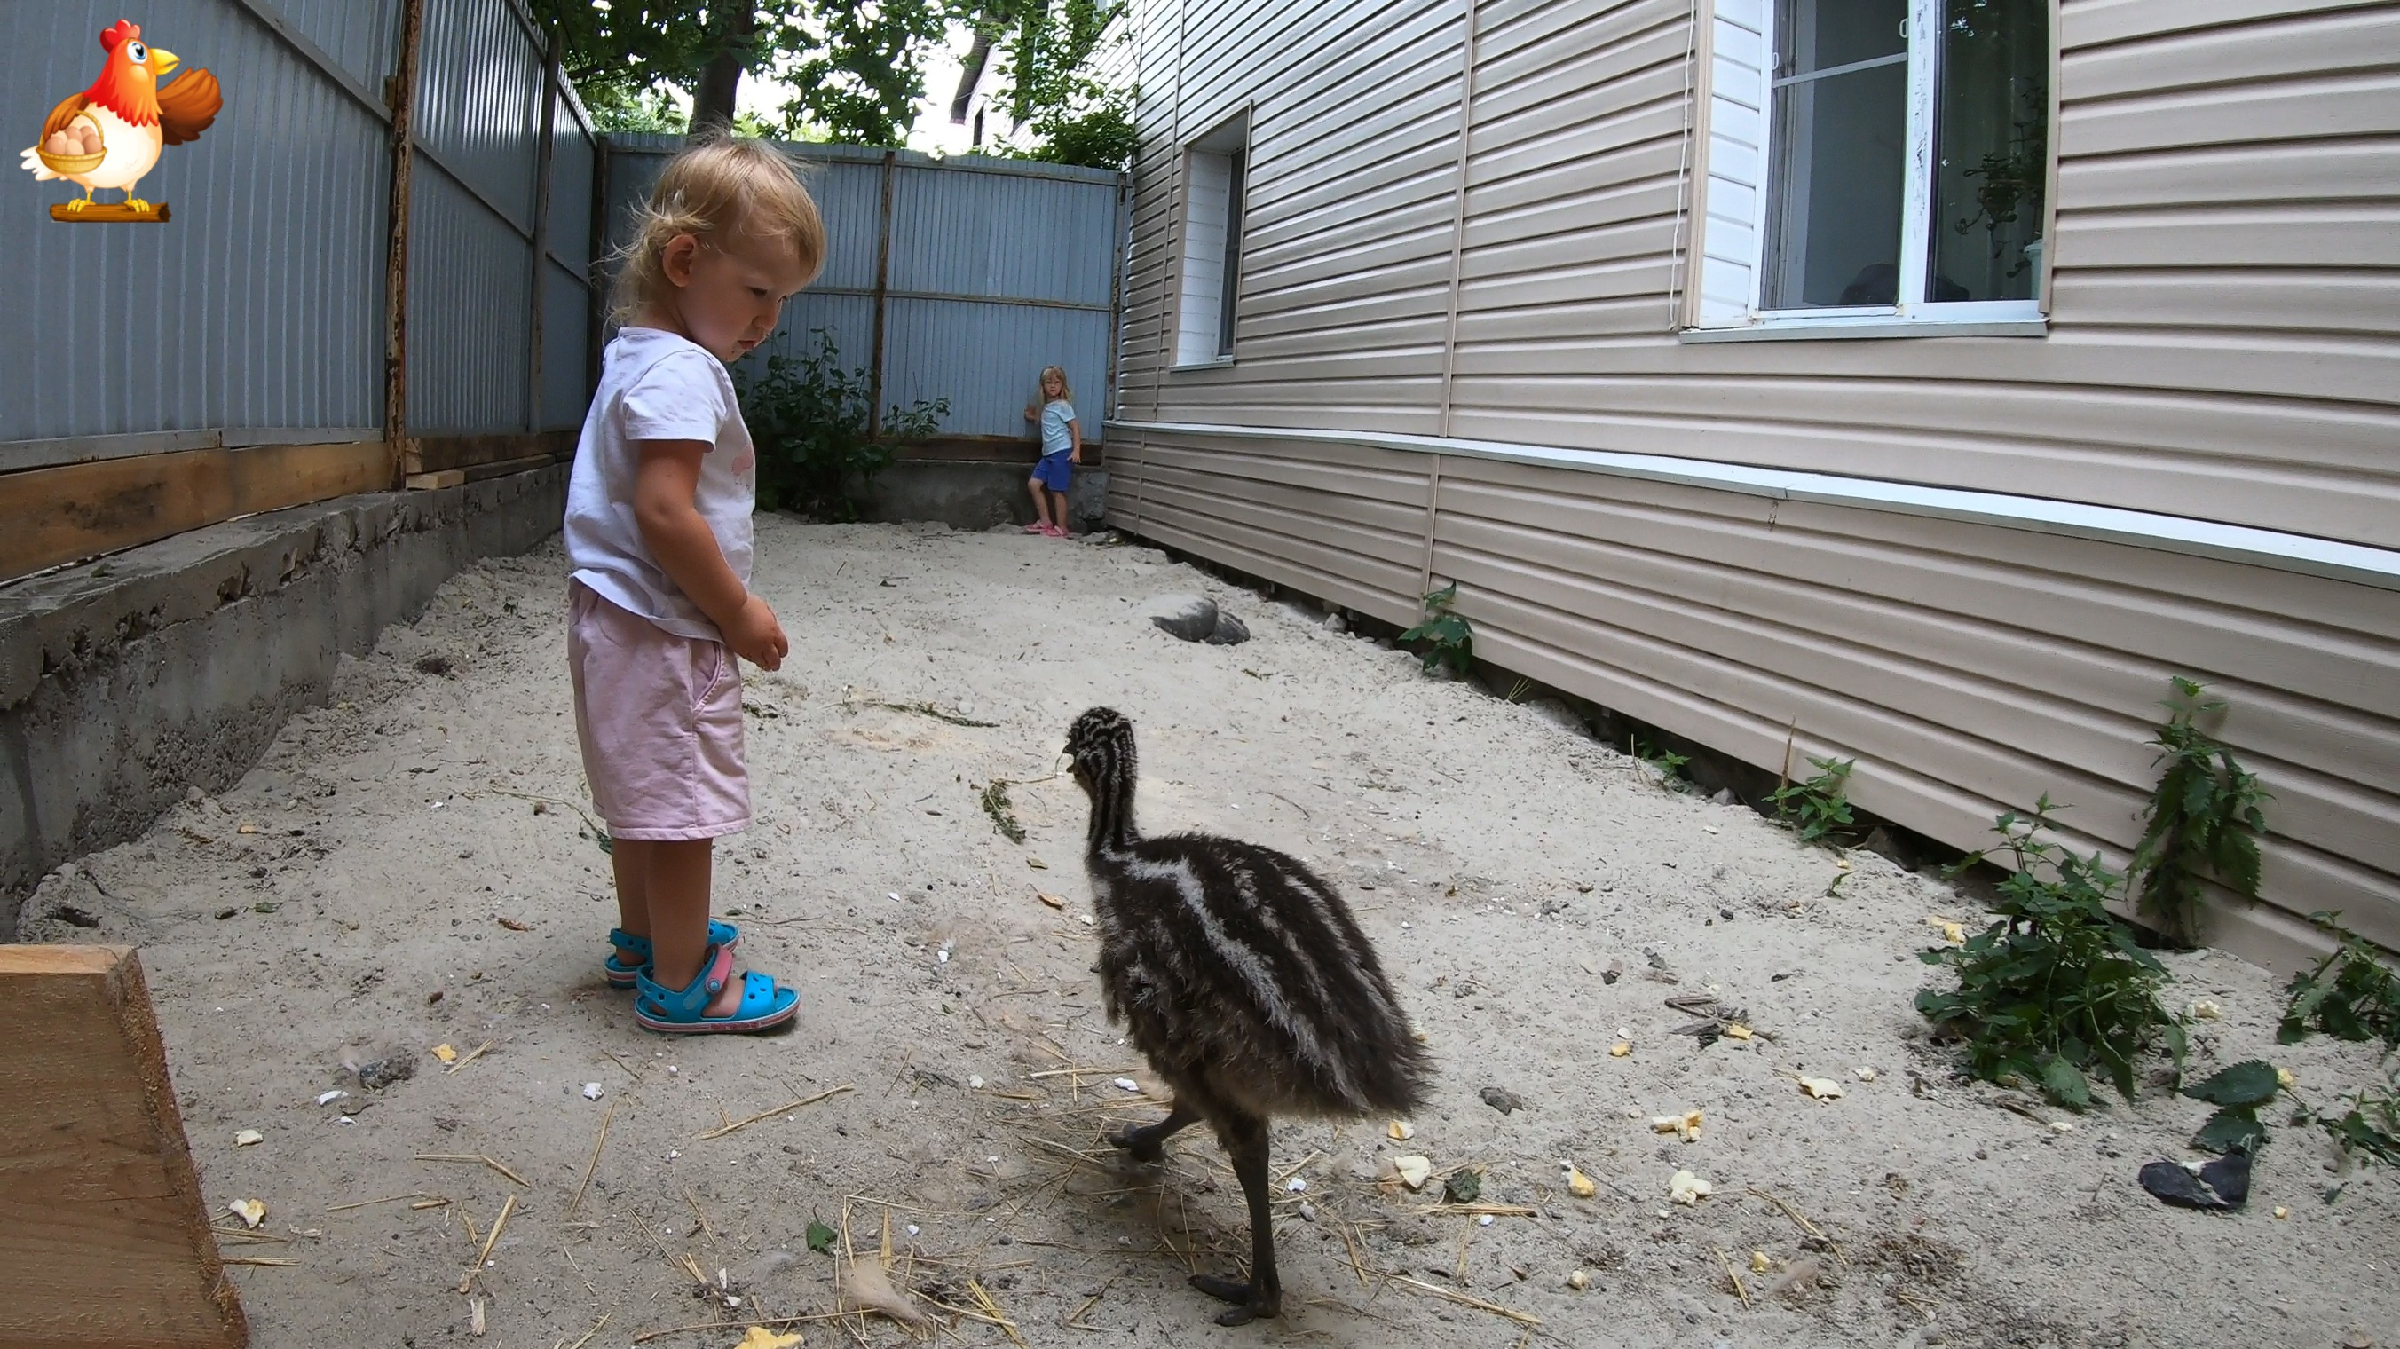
{"points": [[656, 385]]}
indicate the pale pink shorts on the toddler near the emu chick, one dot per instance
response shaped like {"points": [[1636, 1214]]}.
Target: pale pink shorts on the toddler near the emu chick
{"points": [[661, 724]]}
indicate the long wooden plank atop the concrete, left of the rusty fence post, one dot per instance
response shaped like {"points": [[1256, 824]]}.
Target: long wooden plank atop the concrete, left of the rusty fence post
{"points": [[85, 510]]}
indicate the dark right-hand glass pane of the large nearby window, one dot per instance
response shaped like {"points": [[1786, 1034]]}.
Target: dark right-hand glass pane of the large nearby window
{"points": [[1991, 150]]}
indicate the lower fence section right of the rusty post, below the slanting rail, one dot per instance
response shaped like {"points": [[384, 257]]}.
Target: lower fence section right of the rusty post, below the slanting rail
{"points": [[469, 313]]}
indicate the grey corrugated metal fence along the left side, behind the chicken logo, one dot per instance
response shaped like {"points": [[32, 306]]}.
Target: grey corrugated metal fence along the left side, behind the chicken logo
{"points": [[258, 313]]}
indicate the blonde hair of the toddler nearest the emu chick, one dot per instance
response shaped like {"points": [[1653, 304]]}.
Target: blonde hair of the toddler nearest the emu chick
{"points": [[716, 188]]}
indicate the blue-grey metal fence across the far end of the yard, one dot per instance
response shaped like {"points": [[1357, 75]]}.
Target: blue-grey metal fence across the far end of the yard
{"points": [[947, 280]]}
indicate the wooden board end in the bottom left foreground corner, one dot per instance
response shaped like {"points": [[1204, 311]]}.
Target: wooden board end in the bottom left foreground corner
{"points": [[102, 1228]]}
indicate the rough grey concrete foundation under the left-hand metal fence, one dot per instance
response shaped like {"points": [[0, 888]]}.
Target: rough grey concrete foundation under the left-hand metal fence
{"points": [[174, 666]]}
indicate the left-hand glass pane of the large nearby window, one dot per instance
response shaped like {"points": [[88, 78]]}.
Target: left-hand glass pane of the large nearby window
{"points": [[1840, 155]]}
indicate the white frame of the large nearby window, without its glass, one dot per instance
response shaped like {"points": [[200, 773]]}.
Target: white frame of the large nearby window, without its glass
{"points": [[1729, 210]]}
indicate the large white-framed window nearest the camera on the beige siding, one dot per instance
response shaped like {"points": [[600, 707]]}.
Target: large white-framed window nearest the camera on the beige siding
{"points": [[1876, 164]]}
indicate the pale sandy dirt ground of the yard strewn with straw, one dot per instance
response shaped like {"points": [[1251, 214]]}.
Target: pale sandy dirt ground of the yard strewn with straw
{"points": [[409, 870]]}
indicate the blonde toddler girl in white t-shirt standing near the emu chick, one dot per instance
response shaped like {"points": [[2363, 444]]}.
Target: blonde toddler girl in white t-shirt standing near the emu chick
{"points": [[659, 534]]}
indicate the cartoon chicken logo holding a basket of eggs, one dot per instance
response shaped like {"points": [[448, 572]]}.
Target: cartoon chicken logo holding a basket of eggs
{"points": [[112, 136]]}
